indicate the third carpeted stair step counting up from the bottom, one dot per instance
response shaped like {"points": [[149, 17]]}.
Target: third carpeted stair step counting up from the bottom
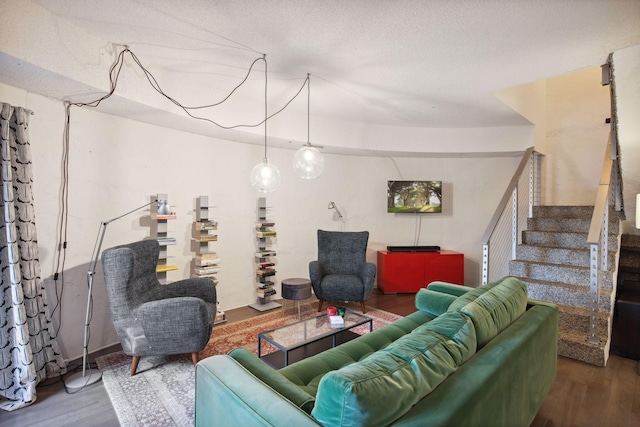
{"points": [[566, 294]]}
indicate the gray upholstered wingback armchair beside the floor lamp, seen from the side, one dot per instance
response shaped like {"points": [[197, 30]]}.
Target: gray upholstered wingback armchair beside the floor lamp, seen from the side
{"points": [[155, 319]]}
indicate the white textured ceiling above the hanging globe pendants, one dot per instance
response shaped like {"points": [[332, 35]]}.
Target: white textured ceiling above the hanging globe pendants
{"points": [[413, 63]]}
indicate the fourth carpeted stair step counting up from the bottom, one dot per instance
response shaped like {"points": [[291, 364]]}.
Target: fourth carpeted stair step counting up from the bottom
{"points": [[569, 274]]}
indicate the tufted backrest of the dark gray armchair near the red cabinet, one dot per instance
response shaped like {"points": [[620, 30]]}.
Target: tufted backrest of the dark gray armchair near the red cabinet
{"points": [[342, 252]]}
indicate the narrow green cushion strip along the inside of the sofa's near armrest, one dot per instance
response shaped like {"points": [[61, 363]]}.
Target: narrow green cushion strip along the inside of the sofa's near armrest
{"points": [[273, 379]]}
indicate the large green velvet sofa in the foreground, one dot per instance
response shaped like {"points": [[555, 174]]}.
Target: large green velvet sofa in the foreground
{"points": [[468, 357]]}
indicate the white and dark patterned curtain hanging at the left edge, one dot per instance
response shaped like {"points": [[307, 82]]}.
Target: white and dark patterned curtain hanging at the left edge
{"points": [[28, 350]]}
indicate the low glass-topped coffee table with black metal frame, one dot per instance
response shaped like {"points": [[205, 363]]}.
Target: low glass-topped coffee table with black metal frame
{"points": [[305, 338]]}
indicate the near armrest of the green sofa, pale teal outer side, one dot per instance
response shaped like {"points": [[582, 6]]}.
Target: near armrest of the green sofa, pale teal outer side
{"points": [[228, 394]]}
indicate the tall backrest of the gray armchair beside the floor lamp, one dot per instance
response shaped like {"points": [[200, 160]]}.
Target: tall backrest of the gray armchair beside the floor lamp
{"points": [[130, 275]]}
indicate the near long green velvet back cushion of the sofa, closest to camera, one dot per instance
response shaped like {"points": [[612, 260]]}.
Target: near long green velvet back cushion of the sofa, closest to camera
{"points": [[385, 385]]}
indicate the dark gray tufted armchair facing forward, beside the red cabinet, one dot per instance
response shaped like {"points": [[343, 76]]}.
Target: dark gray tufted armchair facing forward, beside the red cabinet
{"points": [[341, 272]]}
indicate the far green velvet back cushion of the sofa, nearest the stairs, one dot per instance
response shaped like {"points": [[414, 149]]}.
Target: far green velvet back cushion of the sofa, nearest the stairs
{"points": [[496, 308]]}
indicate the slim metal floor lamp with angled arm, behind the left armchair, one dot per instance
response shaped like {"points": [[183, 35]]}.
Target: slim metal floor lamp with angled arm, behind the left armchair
{"points": [[79, 380]]}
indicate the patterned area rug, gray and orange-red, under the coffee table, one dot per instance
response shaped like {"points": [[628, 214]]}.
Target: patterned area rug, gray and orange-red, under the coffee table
{"points": [[162, 393]]}
